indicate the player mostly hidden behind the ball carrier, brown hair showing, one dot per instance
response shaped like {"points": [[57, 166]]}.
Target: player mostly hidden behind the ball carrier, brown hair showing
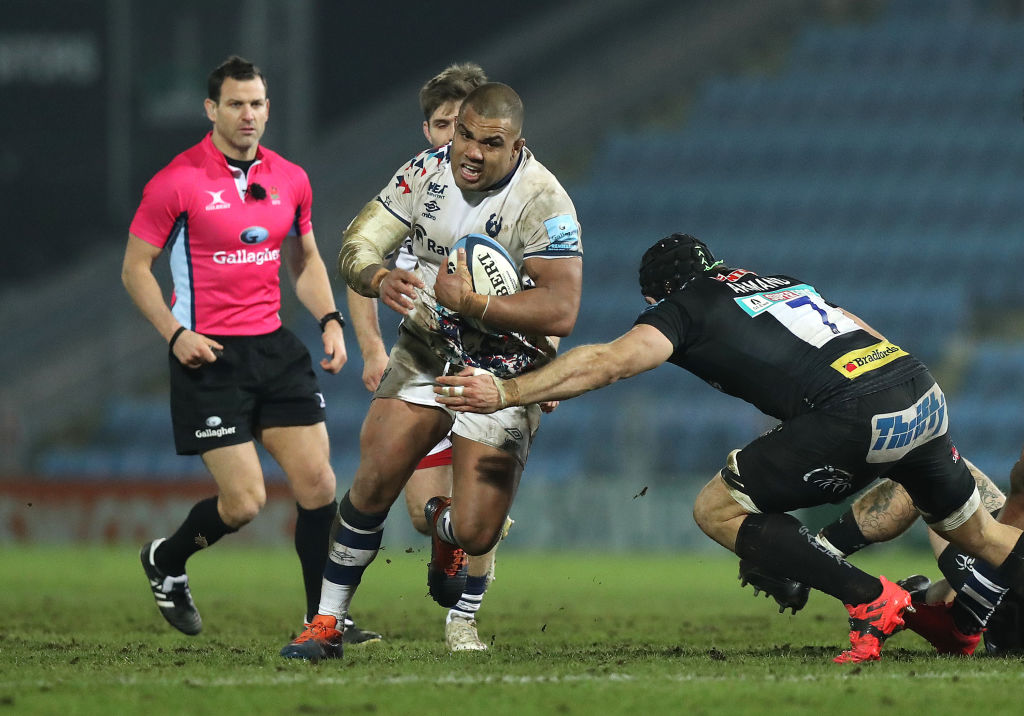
{"points": [[441, 99]]}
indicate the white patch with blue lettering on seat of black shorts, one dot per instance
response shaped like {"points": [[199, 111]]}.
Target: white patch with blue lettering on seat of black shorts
{"points": [[895, 435]]}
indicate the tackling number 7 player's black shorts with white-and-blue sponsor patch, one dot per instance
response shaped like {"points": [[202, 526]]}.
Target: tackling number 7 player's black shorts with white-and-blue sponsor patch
{"points": [[828, 455]]}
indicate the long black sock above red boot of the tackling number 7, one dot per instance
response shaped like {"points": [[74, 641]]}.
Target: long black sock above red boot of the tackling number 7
{"points": [[782, 545]]}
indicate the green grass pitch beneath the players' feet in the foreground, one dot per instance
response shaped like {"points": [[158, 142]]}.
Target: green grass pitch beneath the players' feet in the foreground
{"points": [[570, 634]]}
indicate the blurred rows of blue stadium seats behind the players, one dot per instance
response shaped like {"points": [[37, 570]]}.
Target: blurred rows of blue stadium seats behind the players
{"points": [[882, 160]]}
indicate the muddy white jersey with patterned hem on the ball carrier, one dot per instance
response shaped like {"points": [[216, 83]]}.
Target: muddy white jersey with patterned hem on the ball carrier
{"points": [[528, 213]]}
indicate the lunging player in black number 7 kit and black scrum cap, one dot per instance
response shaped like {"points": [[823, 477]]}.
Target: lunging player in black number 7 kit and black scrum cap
{"points": [[852, 405]]}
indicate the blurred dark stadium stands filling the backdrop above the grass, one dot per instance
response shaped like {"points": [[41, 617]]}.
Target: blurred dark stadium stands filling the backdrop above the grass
{"points": [[875, 148]]}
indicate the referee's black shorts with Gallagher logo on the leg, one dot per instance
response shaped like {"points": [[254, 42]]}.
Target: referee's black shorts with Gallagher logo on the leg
{"points": [[260, 383]]}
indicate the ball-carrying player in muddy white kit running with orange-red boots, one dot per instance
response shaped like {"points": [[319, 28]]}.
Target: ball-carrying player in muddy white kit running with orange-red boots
{"points": [[487, 182]]}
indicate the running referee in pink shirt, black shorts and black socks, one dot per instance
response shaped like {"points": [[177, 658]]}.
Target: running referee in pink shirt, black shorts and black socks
{"points": [[227, 213]]}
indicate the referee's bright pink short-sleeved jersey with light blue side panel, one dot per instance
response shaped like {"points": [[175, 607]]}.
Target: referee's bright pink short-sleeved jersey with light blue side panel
{"points": [[225, 244]]}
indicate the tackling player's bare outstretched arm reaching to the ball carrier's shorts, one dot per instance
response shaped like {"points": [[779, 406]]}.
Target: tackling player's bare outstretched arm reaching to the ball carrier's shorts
{"points": [[583, 369]]}
